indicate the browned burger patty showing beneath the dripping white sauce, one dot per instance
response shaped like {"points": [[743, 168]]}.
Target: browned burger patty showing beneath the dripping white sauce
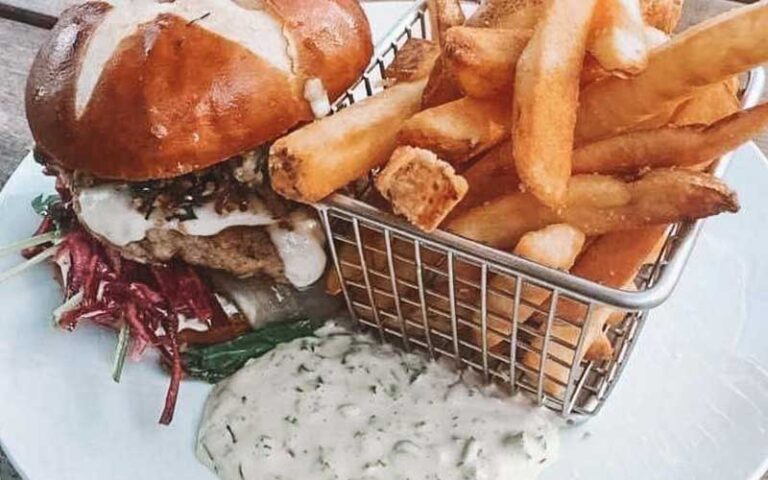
{"points": [[242, 251]]}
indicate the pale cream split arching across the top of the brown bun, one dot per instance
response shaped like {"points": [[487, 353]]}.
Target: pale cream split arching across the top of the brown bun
{"points": [[247, 25]]}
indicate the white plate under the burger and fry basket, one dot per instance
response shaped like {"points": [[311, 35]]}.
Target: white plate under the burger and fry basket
{"points": [[693, 403]]}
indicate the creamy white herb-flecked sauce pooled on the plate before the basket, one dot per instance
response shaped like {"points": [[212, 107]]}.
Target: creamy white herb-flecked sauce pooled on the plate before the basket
{"points": [[342, 406]]}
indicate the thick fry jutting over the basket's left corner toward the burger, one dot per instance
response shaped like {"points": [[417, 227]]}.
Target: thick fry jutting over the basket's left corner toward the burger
{"points": [[322, 157]]}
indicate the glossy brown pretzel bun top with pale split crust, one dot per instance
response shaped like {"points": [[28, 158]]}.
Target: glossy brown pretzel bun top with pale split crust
{"points": [[147, 89]]}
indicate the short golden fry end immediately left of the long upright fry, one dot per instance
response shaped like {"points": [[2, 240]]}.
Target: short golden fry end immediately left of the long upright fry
{"points": [[483, 60]]}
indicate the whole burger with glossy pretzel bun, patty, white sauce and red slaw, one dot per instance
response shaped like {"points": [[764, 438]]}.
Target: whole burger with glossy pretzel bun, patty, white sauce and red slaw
{"points": [[156, 116]]}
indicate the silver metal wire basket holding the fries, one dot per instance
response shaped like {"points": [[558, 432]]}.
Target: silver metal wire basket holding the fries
{"points": [[454, 298]]}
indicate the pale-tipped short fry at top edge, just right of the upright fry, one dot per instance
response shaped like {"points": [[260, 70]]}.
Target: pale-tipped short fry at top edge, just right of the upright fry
{"points": [[618, 40]]}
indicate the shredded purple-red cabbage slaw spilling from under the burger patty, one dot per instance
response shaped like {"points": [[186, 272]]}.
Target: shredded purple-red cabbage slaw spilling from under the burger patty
{"points": [[102, 287]]}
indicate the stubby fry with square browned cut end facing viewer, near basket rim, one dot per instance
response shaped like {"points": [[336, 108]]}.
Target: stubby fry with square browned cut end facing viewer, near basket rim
{"points": [[420, 186]]}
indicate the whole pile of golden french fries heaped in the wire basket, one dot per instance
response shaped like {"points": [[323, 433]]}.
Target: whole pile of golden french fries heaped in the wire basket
{"points": [[569, 132]]}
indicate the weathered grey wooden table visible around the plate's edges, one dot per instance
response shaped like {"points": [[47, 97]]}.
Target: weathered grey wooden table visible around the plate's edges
{"points": [[23, 26]]}
